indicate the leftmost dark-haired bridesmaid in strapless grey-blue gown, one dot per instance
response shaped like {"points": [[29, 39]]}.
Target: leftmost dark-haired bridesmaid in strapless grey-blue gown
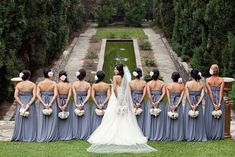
{"points": [[25, 94]]}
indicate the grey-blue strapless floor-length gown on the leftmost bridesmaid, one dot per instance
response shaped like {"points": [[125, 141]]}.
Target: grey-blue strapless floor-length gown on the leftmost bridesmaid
{"points": [[25, 127]]}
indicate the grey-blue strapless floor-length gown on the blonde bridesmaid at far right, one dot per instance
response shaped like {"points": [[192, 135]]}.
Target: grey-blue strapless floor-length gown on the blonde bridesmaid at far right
{"points": [[214, 126]]}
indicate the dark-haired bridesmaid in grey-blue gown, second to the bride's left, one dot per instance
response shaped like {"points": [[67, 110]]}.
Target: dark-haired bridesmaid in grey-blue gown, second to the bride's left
{"points": [[81, 93]]}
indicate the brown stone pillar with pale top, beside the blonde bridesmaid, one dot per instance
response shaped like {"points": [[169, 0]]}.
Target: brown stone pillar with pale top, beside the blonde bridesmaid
{"points": [[228, 82]]}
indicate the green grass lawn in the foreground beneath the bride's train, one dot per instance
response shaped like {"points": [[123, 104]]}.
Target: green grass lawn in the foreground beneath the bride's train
{"points": [[224, 148]]}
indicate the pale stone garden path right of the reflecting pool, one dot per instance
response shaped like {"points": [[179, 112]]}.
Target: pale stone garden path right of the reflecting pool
{"points": [[164, 62]]}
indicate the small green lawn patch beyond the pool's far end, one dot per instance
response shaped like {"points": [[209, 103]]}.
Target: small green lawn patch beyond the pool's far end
{"points": [[122, 32]]}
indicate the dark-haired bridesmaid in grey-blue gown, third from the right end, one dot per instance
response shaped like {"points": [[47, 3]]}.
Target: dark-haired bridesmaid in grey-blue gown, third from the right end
{"points": [[175, 93]]}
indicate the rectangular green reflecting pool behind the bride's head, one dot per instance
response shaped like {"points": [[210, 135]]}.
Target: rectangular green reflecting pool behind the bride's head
{"points": [[118, 51]]}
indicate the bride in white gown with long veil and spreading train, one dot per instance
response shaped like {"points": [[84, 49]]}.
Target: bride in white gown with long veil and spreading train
{"points": [[119, 131]]}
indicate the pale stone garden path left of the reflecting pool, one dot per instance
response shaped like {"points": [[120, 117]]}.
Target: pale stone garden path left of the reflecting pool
{"points": [[79, 52]]}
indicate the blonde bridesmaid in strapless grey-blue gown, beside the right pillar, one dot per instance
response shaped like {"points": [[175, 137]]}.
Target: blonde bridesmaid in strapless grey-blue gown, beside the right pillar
{"points": [[214, 101]]}
